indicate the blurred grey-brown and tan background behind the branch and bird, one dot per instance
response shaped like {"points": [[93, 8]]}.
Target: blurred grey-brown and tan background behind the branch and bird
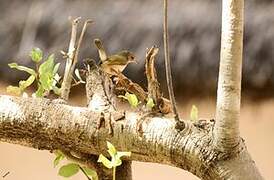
{"points": [[195, 29]]}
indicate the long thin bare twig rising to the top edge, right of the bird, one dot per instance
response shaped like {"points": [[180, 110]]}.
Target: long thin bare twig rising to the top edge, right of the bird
{"points": [[168, 66]]}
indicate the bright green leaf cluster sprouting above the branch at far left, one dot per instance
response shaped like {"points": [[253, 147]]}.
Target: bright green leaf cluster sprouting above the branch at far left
{"points": [[45, 75]]}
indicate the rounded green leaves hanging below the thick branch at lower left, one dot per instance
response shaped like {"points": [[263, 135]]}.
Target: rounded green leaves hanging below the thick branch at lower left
{"points": [[71, 169]]}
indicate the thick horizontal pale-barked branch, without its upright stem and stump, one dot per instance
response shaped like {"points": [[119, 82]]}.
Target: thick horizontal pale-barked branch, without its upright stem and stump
{"points": [[41, 124]]}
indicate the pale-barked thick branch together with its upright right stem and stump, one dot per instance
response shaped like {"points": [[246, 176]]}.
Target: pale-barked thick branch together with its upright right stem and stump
{"points": [[208, 150]]}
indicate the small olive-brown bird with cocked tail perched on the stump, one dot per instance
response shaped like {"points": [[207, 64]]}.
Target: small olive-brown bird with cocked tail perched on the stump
{"points": [[115, 63]]}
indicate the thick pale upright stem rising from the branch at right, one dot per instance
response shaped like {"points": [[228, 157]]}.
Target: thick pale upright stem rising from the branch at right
{"points": [[226, 130]]}
